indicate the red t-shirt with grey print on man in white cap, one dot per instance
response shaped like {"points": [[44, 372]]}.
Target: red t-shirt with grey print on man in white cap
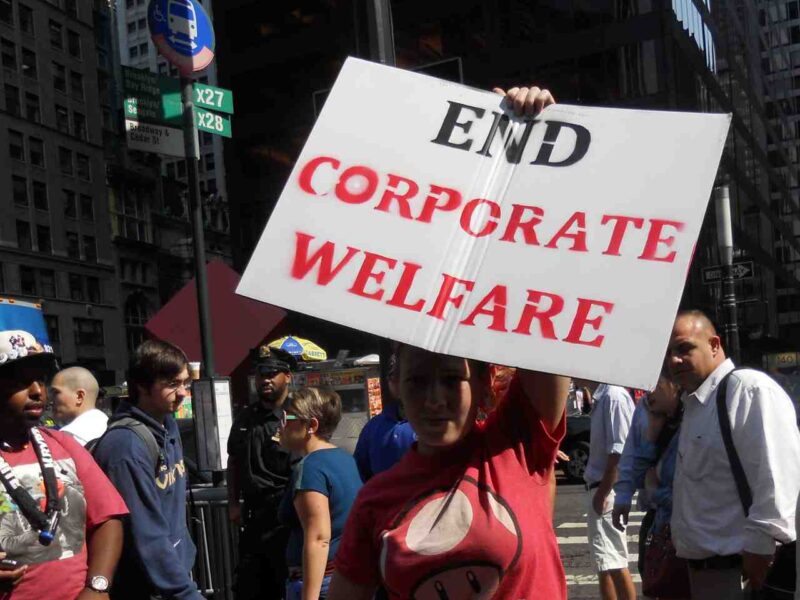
{"points": [[88, 499]]}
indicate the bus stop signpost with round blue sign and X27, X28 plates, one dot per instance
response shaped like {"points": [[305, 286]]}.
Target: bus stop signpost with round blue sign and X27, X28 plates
{"points": [[183, 33]]}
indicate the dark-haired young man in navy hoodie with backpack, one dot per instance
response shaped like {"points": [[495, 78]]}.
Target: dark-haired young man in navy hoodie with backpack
{"points": [[142, 455]]}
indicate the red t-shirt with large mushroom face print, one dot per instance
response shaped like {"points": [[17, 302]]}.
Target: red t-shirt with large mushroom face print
{"points": [[470, 524]]}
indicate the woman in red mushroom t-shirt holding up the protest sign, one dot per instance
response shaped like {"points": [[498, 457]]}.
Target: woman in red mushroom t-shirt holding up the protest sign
{"points": [[466, 514]]}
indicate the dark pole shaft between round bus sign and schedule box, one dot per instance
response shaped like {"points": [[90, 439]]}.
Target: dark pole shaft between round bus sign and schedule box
{"points": [[198, 235]]}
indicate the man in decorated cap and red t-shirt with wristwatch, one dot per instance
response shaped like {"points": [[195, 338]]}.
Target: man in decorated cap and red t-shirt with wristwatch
{"points": [[59, 514]]}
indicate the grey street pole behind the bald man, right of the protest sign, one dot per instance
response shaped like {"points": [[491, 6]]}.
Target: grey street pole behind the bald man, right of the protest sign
{"points": [[722, 203]]}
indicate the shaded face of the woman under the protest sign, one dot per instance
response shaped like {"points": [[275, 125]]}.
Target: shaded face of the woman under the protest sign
{"points": [[440, 396]]}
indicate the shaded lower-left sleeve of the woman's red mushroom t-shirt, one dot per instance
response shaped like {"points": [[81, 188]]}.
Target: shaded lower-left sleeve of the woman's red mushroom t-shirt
{"points": [[358, 552]]}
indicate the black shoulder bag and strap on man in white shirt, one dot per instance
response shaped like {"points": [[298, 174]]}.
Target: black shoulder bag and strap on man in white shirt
{"points": [[781, 578]]}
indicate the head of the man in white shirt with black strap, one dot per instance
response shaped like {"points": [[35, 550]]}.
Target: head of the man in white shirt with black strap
{"points": [[695, 350]]}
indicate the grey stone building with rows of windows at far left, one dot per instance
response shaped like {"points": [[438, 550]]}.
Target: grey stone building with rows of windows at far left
{"points": [[55, 235]]}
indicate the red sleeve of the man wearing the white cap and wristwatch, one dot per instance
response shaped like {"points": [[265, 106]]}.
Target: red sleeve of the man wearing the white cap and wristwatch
{"points": [[103, 501]]}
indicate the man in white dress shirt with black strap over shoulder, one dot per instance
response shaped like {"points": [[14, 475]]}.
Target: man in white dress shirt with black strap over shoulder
{"points": [[709, 526]]}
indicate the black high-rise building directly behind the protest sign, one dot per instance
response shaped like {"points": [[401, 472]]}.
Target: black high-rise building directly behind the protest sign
{"points": [[281, 58]]}
